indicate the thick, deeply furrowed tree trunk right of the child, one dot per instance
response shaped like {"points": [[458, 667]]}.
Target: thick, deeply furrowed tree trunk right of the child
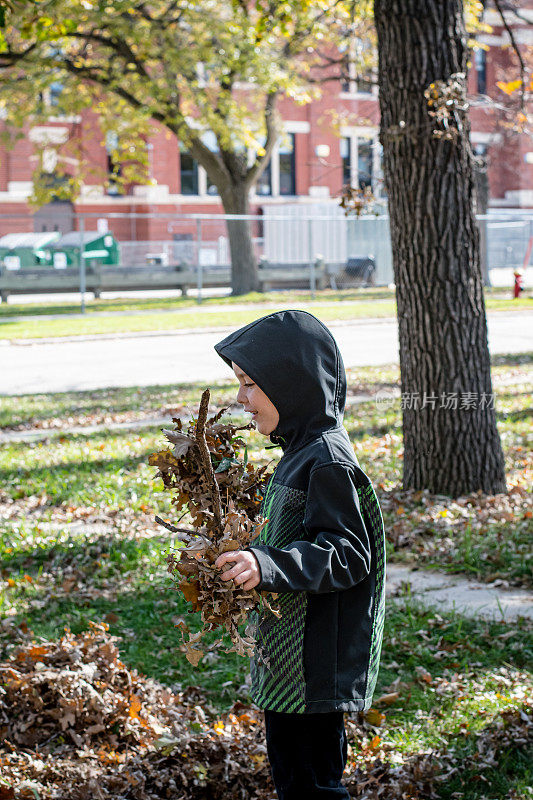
{"points": [[444, 356]]}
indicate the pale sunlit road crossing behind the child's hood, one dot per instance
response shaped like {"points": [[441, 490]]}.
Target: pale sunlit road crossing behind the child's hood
{"points": [[170, 358]]}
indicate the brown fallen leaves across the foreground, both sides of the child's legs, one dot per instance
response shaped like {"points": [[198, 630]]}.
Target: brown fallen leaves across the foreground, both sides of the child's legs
{"points": [[77, 724]]}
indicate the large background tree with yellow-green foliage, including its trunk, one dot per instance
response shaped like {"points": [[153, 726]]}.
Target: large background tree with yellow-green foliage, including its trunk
{"points": [[207, 65]]}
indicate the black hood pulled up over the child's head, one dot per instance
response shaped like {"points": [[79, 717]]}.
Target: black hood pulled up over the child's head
{"points": [[295, 360]]}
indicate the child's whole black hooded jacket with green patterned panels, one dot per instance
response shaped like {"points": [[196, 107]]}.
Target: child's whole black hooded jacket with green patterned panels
{"points": [[323, 548]]}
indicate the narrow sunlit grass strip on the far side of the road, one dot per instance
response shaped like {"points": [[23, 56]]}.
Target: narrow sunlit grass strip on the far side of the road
{"points": [[110, 317]]}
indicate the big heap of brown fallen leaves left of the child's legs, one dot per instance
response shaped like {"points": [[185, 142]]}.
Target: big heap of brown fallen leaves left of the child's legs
{"points": [[76, 723]]}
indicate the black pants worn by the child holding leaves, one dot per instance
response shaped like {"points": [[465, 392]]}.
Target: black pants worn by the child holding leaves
{"points": [[307, 754]]}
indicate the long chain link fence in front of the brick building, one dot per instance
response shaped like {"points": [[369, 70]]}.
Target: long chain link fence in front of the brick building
{"points": [[191, 252]]}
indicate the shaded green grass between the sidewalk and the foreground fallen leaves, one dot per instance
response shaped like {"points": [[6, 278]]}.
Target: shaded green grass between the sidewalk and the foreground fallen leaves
{"points": [[120, 575]]}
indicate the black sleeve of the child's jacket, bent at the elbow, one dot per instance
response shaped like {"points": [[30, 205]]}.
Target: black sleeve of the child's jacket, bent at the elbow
{"points": [[335, 554]]}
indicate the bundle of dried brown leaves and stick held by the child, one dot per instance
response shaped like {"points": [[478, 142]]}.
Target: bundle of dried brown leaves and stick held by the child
{"points": [[222, 492]]}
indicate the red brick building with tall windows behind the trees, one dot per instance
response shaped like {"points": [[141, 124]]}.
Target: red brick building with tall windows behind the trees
{"points": [[312, 162]]}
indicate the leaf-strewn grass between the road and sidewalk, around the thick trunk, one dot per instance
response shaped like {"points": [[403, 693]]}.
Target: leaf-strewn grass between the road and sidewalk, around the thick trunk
{"points": [[106, 472]]}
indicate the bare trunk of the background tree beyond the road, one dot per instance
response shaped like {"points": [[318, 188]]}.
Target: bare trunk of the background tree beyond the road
{"points": [[244, 274]]}
